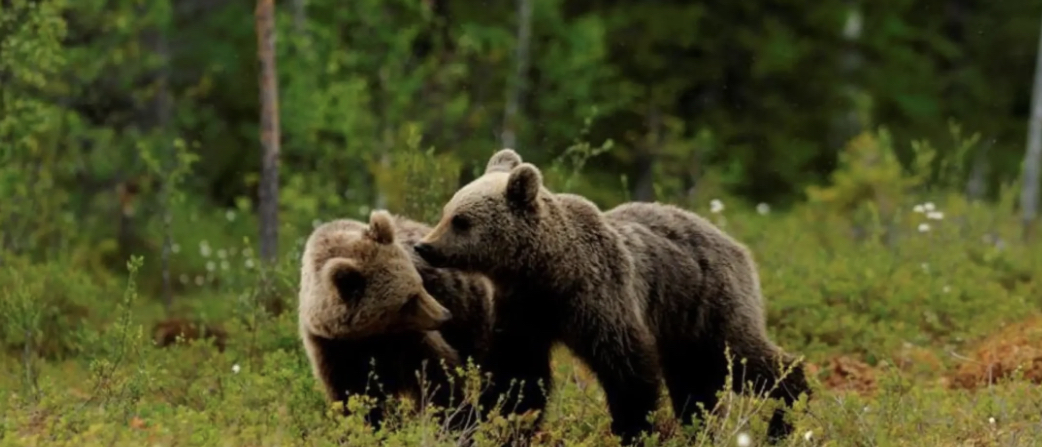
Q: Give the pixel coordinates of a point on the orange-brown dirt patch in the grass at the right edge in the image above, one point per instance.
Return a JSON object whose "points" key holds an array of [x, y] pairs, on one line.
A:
{"points": [[998, 357]]}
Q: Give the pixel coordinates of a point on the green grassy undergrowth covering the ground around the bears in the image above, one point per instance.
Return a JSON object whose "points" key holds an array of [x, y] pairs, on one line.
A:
{"points": [[916, 336]]}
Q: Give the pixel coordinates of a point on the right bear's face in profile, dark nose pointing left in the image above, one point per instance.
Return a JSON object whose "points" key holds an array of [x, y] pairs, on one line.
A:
{"points": [[491, 225]]}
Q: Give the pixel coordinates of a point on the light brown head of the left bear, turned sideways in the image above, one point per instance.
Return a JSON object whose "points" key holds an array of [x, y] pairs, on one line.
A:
{"points": [[357, 282]]}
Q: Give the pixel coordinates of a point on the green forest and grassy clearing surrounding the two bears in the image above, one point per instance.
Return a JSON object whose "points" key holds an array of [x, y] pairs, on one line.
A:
{"points": [[162, 164]]}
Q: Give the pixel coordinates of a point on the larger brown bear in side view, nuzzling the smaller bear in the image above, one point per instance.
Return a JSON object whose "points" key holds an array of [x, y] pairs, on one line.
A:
{"points": [[640, 287]]}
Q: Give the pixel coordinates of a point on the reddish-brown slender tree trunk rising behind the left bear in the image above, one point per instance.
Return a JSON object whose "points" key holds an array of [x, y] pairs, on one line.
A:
{"points": [[269, 131]]}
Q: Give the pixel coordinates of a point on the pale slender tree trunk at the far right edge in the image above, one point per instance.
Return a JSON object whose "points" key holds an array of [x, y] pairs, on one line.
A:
{"points": [[1030, 193]]}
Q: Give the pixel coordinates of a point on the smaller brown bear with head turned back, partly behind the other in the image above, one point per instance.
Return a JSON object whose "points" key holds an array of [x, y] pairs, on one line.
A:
{"points": [[365, 296]]}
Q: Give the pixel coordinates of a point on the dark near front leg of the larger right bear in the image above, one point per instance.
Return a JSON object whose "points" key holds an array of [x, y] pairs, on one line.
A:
{"points": [[621, 354]]}
